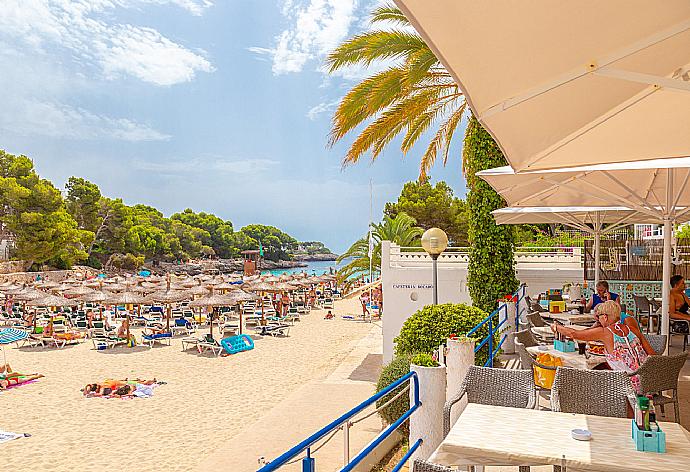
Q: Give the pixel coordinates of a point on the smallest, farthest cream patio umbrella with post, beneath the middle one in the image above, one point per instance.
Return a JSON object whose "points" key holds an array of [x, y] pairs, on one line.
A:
{"points": [[596, 221]]}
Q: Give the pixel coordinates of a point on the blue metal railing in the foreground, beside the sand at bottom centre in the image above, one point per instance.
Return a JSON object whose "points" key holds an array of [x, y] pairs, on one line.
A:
{"points": [[308, 462]]}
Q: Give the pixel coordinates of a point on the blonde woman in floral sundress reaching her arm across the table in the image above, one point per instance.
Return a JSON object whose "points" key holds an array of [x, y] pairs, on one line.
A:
{"points": [[625, 346]]}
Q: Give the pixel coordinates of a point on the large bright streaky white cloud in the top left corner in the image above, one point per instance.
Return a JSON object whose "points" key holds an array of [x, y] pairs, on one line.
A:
{"points": [[86, 29]]}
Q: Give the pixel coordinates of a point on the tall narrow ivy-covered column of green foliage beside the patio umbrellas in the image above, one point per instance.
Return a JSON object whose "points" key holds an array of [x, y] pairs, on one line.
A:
{"points": [[491, 270]]}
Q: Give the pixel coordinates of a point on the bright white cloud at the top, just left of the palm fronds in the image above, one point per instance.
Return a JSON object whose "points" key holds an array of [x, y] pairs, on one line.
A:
{"points": [[316, 27]]}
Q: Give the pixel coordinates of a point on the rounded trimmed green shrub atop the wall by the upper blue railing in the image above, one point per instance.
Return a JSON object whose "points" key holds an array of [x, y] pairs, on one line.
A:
{"points": [[428, 328]]}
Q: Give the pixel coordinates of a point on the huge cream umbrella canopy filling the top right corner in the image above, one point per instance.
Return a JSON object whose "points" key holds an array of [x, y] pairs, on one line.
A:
{"points": [[568, 83]]}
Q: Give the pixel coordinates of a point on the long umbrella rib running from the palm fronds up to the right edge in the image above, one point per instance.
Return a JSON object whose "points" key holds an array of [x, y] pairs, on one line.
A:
{"points": [[587, 69]]}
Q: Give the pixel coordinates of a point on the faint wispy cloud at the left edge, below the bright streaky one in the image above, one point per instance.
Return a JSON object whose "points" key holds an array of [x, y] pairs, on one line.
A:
{"points": [[35, 118]]}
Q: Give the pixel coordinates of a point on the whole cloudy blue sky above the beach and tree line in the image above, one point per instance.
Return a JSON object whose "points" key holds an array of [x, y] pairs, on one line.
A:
{"points": [[220, 106]]}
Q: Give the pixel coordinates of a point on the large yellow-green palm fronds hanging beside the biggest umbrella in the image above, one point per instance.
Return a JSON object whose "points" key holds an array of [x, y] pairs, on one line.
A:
{"points": [[408, 98]]}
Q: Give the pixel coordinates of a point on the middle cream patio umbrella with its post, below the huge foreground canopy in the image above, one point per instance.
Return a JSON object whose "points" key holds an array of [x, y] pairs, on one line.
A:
{"points": [[658, 188]]}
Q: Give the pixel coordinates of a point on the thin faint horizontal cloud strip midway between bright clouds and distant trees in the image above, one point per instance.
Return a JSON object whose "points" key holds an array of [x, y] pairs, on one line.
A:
{"points": [[215, 166]]}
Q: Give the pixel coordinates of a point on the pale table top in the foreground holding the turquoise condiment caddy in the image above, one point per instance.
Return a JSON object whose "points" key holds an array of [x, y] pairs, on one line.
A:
{"points": [[494, 435]]}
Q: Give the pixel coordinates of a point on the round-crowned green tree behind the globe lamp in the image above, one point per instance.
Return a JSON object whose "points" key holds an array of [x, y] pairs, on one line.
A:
{"points": [[433, 206]]}
